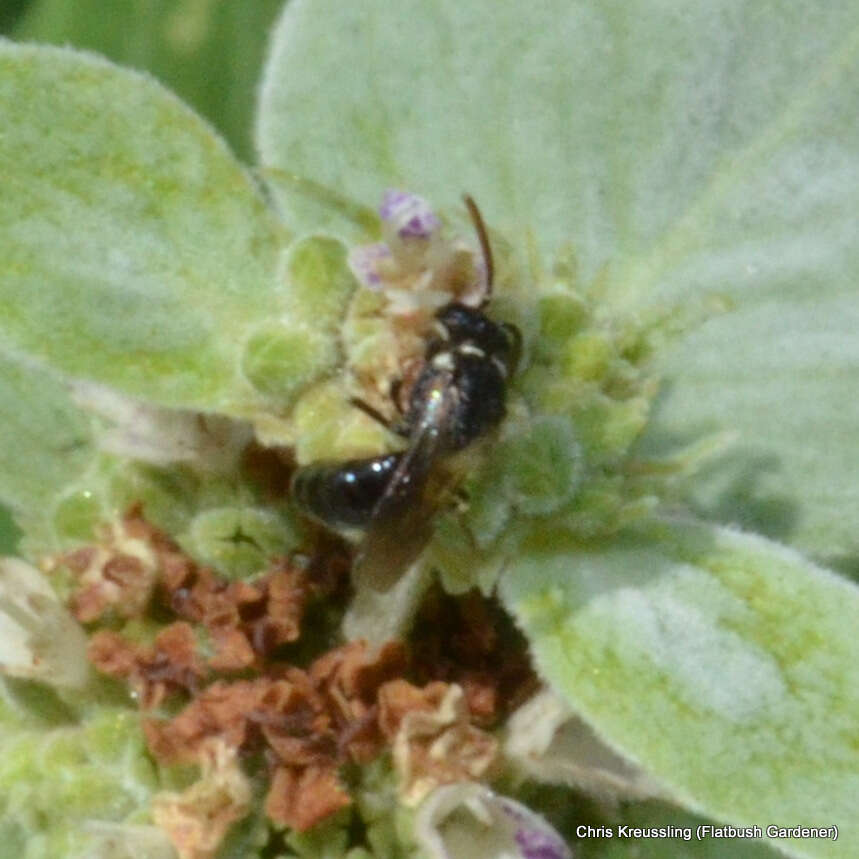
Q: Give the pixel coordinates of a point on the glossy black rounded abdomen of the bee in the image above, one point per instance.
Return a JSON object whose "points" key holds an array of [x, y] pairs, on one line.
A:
{"points": [[343, 494]]}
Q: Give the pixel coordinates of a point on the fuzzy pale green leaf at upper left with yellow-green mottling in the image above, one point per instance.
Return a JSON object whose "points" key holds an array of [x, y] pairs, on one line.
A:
{"points": [[136, 251]]}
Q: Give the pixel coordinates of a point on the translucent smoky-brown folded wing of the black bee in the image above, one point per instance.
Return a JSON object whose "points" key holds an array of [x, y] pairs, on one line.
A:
{"points": [[402, 521]]}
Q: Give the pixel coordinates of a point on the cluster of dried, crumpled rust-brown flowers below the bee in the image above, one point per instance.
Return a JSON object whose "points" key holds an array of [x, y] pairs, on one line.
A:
{"points": [[348, 705]]}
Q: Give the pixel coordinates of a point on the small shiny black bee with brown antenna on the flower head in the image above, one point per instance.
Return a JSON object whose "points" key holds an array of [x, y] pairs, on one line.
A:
{"points": [[457, 398]]}
